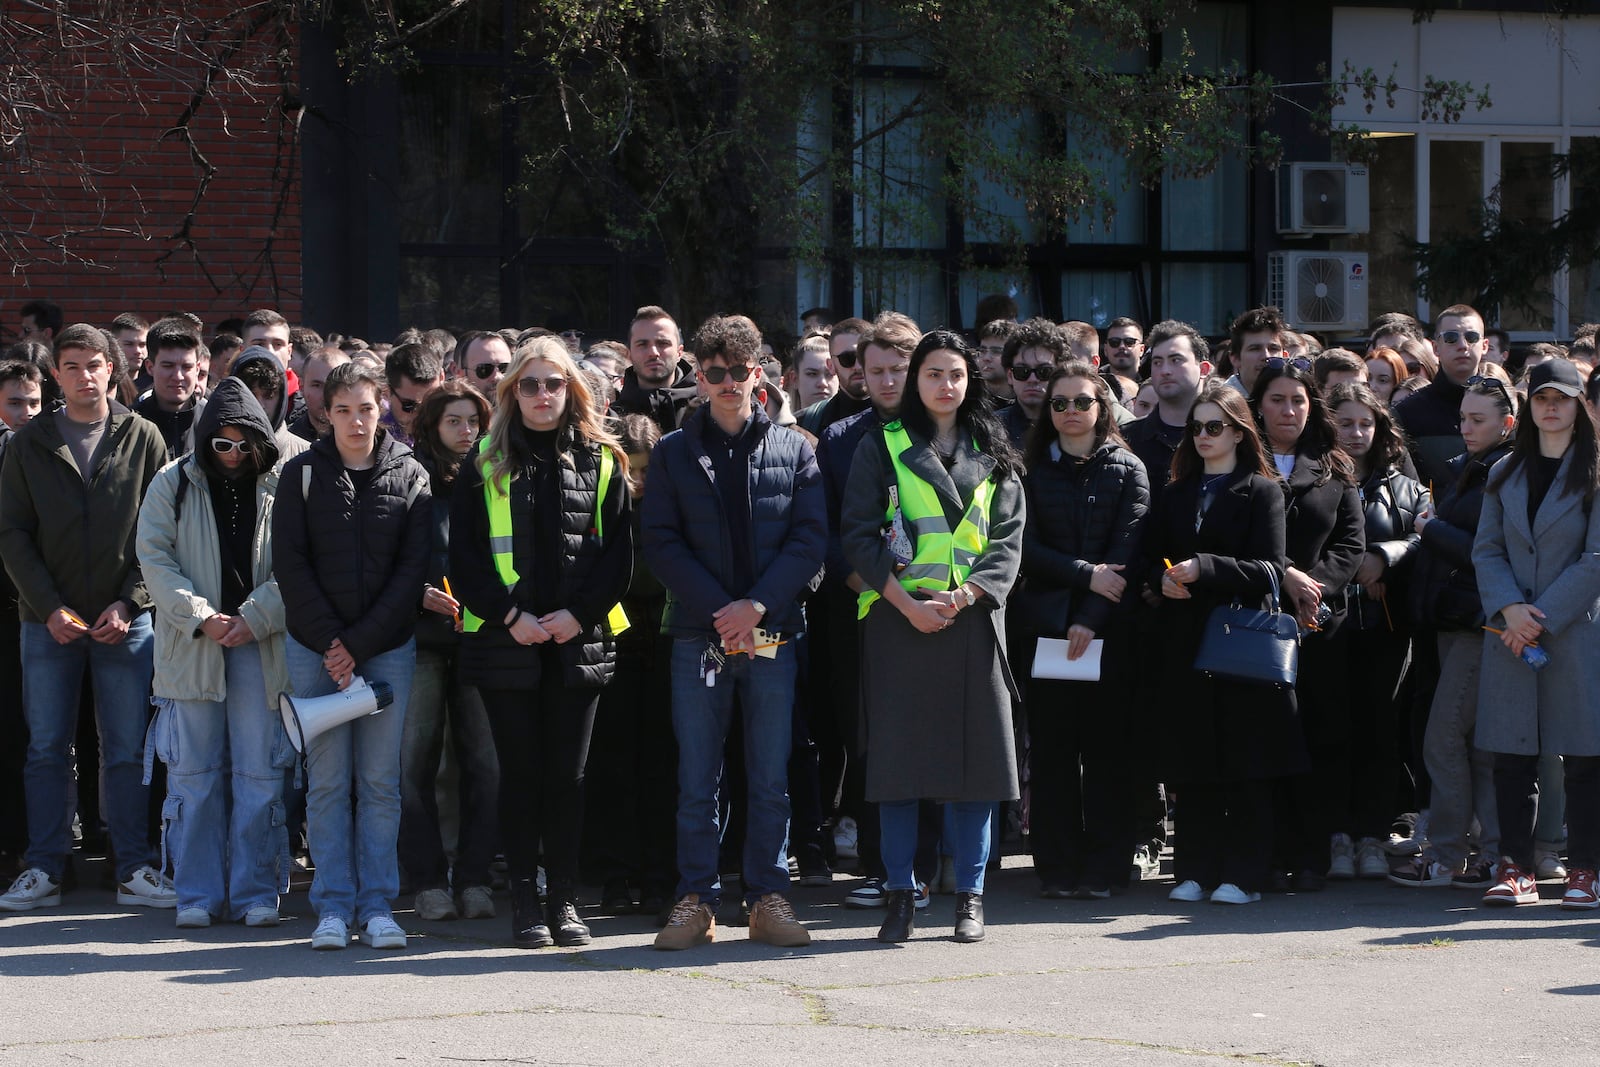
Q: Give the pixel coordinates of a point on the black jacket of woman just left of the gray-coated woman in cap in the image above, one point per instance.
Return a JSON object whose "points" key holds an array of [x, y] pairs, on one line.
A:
{"points": [[1444, 581]]}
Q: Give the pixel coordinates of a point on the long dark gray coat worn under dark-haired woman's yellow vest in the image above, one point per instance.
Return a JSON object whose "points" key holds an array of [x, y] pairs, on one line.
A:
{"points": [[937, 706]]}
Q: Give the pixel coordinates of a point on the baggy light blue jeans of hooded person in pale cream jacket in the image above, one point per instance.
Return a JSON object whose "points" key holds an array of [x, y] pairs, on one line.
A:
{"points": [[223, 818]]}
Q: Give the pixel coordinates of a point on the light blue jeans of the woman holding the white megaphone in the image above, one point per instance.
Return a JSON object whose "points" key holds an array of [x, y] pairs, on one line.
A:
{"points": [[358, 873]]}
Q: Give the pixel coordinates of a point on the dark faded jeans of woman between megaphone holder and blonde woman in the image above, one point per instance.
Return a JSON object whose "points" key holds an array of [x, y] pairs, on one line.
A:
{"points": [[441, 700]]}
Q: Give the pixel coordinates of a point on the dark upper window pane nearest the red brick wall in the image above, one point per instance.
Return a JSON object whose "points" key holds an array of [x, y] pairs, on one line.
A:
{"points": [[450, 182]]}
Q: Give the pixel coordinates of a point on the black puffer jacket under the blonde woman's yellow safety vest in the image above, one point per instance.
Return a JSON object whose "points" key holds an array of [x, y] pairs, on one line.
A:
{"points": [[594, 573]]}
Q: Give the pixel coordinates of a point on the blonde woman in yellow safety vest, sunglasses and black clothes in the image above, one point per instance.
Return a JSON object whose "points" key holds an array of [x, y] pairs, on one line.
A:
{"points": [[542, 551]]}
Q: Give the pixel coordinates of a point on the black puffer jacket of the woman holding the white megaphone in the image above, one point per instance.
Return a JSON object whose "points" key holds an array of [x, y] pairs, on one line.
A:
{"points": [[350, 564]]}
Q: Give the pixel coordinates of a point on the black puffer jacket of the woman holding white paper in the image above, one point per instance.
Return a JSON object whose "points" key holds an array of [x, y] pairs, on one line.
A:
{"points": [[1081, 514]]}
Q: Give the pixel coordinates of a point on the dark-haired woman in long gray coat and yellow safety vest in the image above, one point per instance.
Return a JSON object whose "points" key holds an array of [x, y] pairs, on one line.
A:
{"points": [[934, 524]]}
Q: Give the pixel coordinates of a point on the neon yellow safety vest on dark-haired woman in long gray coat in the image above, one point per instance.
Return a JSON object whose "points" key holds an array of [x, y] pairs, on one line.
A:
{"points": [[943, 559]]}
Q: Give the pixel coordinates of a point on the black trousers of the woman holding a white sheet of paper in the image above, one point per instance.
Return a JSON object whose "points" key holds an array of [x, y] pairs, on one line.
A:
{"points": [[1081, 817]]}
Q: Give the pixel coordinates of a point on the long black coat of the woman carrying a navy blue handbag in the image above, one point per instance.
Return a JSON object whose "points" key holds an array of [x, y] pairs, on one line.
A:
{"points": [[1214, 730]]}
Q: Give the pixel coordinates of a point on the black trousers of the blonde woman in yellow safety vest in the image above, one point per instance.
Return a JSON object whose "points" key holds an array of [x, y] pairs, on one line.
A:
{"points": [[543, 745]]}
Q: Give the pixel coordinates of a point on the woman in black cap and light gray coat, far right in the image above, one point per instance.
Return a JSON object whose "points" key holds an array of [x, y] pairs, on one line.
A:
{"points": [[1538, 564]]}
